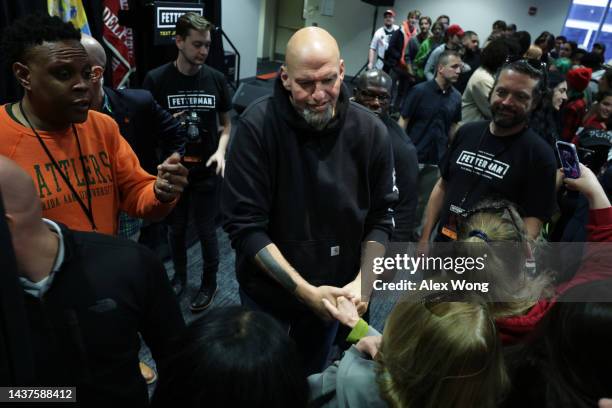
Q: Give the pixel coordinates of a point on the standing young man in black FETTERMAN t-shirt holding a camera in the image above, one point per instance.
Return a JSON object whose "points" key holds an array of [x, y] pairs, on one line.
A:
{"points": [[198, 95]]}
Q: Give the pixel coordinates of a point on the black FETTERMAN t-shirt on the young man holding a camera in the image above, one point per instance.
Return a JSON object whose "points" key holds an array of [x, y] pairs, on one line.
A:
{"points": [[205, 93]]}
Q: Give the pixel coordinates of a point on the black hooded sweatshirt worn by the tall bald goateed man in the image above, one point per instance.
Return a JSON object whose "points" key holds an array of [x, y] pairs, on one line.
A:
{"points": [[317, 195]]}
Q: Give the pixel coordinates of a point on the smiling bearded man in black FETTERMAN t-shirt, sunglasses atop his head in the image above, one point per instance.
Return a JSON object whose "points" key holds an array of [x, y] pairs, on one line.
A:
{"points": [[501, 158]]}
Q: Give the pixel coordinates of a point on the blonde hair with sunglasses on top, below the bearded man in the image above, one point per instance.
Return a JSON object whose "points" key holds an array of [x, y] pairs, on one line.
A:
{"points": [[502, 226]]}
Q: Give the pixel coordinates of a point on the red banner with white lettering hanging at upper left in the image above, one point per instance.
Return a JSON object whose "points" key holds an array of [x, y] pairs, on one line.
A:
{"points": [[120, 40]]}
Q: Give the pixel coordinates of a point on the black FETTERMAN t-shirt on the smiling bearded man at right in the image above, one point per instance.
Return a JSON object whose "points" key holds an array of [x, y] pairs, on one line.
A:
{"points": [[520, 168]]}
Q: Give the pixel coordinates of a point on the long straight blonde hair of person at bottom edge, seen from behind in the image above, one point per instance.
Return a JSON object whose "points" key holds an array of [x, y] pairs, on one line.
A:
{"points": [[443, 354]]}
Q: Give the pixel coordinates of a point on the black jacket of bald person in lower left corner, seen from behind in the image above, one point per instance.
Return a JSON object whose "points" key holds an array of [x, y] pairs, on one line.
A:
{"points": [[84, 329]]}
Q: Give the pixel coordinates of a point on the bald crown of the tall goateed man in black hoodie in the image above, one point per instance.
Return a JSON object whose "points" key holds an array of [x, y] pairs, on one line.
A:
{"points": [[311, 43]]}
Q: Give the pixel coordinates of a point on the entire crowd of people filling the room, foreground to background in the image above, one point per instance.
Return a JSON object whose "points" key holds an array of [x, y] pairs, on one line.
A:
{"points": [[439, 141]]}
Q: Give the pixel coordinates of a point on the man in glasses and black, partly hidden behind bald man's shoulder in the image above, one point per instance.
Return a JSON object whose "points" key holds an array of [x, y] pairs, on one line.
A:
{"points": [[374, 92]]}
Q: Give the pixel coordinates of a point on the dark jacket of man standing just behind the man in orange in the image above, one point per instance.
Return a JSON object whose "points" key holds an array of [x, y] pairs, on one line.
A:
{"points": [[150, 130]]}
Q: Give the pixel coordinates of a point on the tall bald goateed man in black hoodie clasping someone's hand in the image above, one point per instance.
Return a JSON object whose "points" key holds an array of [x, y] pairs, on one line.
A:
{"points": [[309, 178]]}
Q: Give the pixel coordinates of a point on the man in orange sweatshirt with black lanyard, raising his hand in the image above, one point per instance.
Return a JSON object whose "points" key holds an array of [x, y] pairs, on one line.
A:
{"points": [[85, 172]]}
